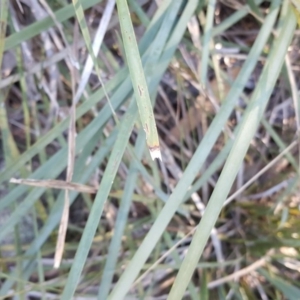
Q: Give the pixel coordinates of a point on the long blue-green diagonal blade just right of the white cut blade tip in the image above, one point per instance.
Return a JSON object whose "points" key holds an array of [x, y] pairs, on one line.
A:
{"points": [[200, 155]]}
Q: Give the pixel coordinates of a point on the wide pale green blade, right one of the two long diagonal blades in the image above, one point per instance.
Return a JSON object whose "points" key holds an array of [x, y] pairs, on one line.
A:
{"points": [[248, 128]]}
